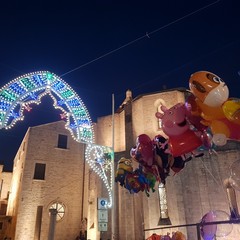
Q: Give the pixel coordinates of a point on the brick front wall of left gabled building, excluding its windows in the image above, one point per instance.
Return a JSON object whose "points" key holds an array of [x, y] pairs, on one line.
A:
{"points": [[64, 183]]}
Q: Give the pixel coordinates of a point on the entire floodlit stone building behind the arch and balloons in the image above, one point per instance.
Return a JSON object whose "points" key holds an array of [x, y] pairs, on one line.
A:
{"points": [[50, 172]]}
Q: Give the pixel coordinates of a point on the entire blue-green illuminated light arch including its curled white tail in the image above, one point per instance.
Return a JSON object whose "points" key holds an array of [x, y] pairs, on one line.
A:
{"points": [[20, 93]]}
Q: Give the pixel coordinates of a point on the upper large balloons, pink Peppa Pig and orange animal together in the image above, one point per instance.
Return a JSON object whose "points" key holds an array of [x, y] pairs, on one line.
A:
{"points": [[207, 119]]}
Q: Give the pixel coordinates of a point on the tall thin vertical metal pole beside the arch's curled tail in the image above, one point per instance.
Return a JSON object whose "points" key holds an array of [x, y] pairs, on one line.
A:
{"points": [[113, 175]]}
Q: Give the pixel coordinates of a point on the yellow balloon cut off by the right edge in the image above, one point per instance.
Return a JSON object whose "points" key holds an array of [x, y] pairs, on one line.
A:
{"points": [[231, 109]]}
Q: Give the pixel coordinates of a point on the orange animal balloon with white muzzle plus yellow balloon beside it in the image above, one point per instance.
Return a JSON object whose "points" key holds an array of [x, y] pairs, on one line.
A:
{"points": [[210, 103]]}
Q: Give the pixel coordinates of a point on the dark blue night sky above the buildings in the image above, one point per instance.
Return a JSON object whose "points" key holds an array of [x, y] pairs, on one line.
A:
{"points": [[102, 48]]}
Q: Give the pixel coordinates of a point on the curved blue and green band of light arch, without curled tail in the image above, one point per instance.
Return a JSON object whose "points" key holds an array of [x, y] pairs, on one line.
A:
{"points": [[28, 89]]}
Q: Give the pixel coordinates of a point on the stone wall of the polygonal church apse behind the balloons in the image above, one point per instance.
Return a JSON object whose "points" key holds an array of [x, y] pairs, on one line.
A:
{"points": [[191, 193]]}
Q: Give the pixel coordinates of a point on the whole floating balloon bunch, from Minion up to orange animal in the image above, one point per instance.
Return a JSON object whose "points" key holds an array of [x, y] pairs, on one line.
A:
{"points": [[207, 119]]}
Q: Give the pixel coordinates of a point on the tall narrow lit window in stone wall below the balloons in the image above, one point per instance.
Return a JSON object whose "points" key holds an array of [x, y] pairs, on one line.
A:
{"points": [[164, 218]]}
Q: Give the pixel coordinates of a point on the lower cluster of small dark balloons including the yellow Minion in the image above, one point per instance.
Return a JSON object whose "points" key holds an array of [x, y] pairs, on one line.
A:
{"points": [[154, 162]]}
